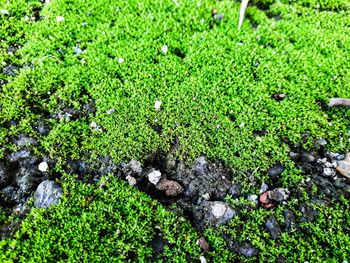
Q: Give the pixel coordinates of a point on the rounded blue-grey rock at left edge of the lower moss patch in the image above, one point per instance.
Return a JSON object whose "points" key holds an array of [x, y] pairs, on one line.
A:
{"points": [[48, 193]]}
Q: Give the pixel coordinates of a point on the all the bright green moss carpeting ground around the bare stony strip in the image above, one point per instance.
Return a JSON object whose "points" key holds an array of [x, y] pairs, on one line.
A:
{"points": [[215, 84]]}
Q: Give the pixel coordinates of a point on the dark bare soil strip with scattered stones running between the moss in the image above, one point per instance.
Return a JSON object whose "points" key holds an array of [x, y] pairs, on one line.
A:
{"points": [[199, 190]]}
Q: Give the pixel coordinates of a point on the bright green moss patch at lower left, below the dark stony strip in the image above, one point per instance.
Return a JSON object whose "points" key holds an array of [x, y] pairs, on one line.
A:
{"points": [[113, 223]]}
